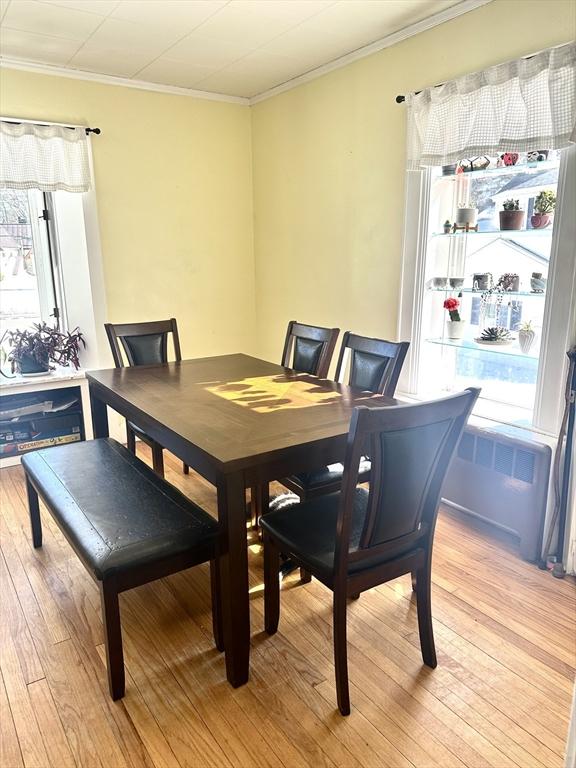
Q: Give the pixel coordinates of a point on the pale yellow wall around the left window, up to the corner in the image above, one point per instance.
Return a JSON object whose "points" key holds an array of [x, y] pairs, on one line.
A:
{"points": [[174, 194]]}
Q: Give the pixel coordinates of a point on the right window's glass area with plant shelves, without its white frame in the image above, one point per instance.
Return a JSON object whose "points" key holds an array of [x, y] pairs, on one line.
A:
{"points": [[497, 276]]}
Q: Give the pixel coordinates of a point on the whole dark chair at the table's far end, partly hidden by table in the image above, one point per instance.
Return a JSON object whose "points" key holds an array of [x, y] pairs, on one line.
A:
{"points": [[144, 344]]}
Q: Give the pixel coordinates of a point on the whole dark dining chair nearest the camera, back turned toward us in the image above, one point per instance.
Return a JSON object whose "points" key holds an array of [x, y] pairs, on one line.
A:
{"points": [[356, 539]]}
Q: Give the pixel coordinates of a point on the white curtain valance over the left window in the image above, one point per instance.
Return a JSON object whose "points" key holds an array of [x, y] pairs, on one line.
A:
{"points": [[46, 157]]}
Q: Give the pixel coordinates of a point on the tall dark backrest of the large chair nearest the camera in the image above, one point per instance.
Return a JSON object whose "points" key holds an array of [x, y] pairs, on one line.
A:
{"points": [[410, 449]]}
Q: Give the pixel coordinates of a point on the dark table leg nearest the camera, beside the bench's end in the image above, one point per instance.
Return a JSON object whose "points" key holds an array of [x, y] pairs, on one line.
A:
{"points": [[234, 577]]}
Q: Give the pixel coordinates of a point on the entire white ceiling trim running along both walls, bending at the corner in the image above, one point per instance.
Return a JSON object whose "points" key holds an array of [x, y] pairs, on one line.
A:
{"points": [[396, 37]]}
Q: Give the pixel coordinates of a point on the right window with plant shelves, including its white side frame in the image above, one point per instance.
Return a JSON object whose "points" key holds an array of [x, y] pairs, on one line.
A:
{"points": [[501, 278]]}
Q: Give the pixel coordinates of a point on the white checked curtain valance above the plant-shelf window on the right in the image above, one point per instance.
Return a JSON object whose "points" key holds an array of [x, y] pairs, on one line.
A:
{"points": [[517, 106]]}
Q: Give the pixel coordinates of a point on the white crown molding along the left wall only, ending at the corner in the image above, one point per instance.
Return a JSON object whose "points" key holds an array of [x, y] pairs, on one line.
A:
{"points": [[124, 82]]}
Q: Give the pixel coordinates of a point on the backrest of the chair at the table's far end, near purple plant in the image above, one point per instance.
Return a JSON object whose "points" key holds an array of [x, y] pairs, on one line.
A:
{"points": [[143, 343]]}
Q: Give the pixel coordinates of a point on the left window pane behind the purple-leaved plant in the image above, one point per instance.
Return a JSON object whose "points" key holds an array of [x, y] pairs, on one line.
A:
{"points": [[29, 278]]}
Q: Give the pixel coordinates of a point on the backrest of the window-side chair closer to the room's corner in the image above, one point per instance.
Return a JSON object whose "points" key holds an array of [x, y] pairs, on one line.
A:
{"points": [[308, 348]]}
